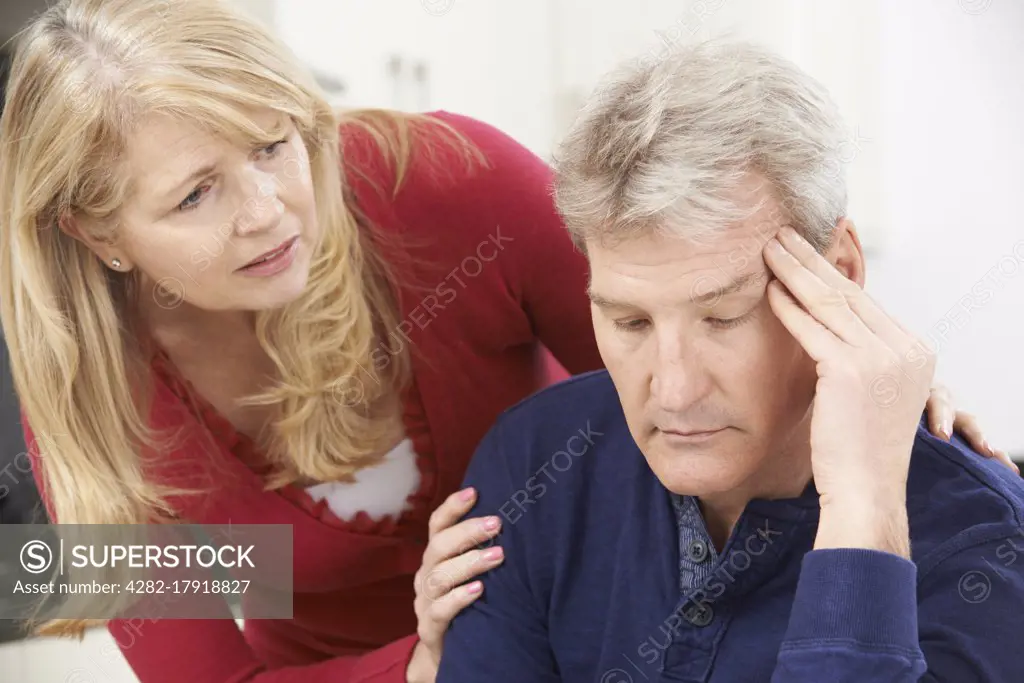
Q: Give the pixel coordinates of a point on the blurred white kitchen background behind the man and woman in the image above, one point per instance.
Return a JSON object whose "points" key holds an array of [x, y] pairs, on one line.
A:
{"points": [[933, 93]]}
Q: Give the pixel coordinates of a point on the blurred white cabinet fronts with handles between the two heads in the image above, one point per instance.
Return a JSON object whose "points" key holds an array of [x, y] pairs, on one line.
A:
{"points": [[486, 60]]}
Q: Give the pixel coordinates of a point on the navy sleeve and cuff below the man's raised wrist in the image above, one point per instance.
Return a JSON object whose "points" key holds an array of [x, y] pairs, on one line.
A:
{"points": [[863, 615]]}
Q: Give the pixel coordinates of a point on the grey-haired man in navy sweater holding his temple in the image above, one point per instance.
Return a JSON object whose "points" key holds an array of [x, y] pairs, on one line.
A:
{"points": [[748, 493]]}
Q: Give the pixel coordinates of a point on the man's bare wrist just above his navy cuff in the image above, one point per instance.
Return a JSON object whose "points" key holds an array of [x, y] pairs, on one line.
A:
{"points": [[880, 525]]}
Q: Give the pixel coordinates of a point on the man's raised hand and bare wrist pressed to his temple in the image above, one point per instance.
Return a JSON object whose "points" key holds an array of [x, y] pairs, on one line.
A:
{"points": [[874, 382]]}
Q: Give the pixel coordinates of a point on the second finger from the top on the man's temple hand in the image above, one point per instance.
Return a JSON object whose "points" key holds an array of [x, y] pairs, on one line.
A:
{"points": [[826, 304]]}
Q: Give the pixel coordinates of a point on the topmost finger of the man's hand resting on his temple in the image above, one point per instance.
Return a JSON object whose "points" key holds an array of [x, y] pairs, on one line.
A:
{"points": [[873, 316]]}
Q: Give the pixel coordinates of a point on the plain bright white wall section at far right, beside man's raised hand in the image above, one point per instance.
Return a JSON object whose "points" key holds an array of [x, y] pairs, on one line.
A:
{"points": [[954, 86]]}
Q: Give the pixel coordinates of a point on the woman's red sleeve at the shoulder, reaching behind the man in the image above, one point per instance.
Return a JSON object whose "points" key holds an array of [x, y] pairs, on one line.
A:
{"points": [[545, 270]]}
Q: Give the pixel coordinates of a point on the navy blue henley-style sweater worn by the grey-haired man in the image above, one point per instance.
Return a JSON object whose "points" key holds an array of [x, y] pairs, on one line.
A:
{"points": [[606, 578]]}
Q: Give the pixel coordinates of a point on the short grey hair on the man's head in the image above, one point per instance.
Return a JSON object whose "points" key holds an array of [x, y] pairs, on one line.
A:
{"points": [[668, 144]]}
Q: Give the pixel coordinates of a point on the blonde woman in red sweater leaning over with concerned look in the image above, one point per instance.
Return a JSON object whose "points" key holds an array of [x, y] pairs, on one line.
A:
{"points": [[327, 314]]}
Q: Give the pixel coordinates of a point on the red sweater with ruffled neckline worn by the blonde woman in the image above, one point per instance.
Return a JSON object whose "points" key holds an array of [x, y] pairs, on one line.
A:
{"points": [[494, 276]]}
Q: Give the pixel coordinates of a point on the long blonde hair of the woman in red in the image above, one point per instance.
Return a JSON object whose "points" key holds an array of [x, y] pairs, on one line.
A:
{"points": [[82, 75]]}
